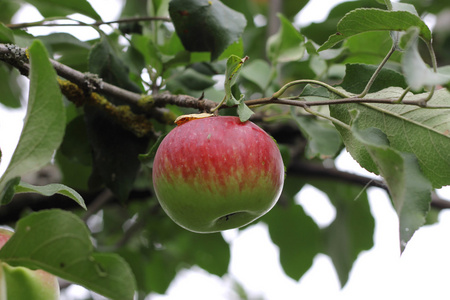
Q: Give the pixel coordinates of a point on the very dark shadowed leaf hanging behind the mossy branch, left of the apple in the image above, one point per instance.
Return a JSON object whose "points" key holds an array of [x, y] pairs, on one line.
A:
{"points": [[115, 149]]}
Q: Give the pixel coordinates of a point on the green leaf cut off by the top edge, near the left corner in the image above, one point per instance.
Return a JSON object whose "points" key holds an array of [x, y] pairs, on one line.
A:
{"points": [[56, 8]]}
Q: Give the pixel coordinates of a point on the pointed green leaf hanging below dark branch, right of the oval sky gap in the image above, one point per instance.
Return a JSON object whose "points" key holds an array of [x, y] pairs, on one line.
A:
{"points": [[352, 230]]}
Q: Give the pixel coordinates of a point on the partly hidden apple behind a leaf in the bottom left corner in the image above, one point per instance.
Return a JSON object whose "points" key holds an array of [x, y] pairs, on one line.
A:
{"points": [[19, 283]]}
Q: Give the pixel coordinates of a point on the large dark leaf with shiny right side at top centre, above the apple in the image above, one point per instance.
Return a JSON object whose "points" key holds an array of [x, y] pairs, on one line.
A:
{"points": [[207, 26]]}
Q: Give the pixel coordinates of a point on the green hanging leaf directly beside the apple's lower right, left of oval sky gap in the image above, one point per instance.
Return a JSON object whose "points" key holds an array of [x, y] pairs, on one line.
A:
{"points": [[294, 232]]}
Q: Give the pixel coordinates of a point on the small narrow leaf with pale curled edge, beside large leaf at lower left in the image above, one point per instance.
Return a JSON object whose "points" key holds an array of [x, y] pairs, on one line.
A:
{"points": [[51, 189]]}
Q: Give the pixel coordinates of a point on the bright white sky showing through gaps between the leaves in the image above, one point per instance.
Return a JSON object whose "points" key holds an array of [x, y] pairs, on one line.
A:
{"points": [[421, 272]]}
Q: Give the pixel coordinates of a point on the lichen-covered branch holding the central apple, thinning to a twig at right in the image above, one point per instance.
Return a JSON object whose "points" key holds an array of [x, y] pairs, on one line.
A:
{"points": [[152, 104]]}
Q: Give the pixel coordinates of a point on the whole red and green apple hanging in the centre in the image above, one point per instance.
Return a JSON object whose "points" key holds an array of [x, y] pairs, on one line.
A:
{"points": [[217, 173]]}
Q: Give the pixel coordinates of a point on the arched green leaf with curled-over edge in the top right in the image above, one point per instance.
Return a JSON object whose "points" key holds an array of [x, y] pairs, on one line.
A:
{"points": [[372, 19]]}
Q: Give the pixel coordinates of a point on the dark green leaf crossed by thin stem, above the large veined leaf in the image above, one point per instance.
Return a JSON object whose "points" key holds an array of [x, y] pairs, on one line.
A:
{"points": [[358, 75]]}
